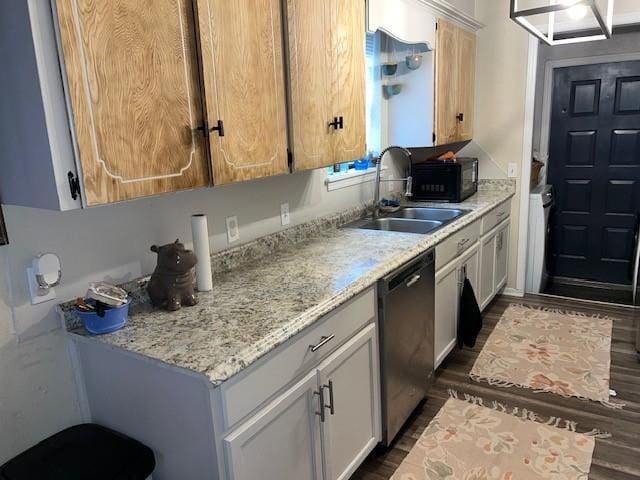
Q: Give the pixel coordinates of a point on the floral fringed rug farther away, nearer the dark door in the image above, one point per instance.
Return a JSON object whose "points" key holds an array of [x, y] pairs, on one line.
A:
{"points": [[566, 353]]}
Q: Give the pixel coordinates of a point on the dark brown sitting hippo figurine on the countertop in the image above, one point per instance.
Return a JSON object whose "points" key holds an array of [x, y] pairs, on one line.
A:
{"points": [[172, 282]]}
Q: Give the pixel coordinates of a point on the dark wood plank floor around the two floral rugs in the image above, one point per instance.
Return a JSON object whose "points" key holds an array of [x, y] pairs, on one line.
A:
{"points": [[615, 458]]}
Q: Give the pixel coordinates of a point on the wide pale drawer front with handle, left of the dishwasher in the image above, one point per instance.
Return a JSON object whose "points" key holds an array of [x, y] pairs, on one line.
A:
{"points": [[246, 392]]}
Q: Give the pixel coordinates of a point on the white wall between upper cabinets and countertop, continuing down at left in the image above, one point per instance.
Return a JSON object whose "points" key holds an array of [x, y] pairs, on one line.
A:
{"points": [[37, 393]]}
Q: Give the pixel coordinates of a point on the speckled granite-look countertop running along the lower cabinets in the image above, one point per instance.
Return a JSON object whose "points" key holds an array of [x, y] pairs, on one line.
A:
{"points": [[262, 302]]}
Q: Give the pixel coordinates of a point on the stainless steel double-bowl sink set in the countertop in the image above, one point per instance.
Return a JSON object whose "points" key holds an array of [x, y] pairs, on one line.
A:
{"points": [[422, 220]]}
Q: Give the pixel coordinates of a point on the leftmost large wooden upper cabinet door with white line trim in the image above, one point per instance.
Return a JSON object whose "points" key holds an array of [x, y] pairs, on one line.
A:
{"points": [[134, 90]]}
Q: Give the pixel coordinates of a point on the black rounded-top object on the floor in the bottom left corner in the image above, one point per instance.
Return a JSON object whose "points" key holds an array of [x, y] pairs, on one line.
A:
{"points": [[83, 452]]}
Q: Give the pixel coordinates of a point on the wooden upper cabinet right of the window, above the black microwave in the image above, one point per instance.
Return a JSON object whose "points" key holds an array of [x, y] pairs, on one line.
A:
{"points": [[455, 83]]}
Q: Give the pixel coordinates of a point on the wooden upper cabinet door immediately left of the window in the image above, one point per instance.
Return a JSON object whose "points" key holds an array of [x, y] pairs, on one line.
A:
{"points": [[348, 85]]}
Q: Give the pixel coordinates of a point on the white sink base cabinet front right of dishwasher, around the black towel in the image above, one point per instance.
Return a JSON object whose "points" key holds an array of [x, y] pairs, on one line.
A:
{"points": [[447, 298]]}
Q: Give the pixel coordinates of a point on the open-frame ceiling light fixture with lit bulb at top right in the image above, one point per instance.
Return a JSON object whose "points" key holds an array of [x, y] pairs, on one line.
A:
{"points": [[552, 32]]}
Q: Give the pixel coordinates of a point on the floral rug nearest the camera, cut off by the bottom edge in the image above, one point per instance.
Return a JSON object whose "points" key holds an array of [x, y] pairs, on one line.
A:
{"points": [[467, 441]]}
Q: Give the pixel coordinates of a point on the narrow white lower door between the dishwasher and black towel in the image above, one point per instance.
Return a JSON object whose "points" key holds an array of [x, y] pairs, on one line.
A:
{"points": [[446, 299]]}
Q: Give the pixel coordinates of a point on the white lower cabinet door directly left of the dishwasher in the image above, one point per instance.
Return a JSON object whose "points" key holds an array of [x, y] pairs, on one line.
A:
{"points": [[349, 379]]}
